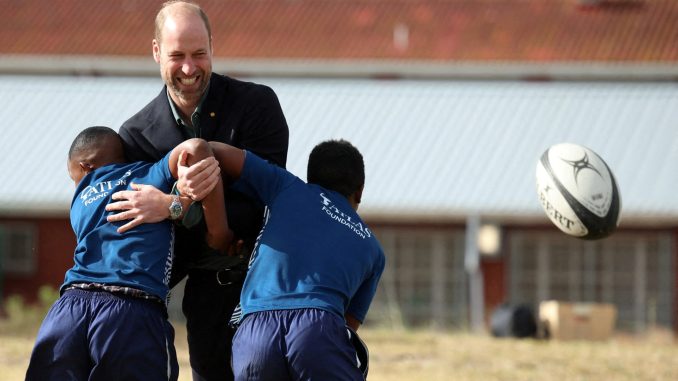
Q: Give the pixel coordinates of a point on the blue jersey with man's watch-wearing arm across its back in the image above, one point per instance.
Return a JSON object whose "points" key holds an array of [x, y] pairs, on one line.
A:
{"points": [[140, 258]]}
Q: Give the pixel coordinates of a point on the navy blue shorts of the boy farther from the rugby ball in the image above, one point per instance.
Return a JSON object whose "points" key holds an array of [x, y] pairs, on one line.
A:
{"points": [[90, 335]]}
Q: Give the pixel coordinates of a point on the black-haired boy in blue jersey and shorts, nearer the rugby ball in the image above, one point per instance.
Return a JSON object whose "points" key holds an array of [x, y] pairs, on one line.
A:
{"points": [[314, 270]]}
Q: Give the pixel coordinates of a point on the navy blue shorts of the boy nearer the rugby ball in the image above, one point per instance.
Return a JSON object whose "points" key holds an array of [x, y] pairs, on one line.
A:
{"points": [[300, 344]]}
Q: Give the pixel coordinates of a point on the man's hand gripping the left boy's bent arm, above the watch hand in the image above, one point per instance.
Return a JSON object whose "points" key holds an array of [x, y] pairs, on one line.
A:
{"points": [[198, 180]]}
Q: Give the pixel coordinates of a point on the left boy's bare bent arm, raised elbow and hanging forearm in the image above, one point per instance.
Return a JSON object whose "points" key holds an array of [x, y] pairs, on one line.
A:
{"points": [[197, 152]]}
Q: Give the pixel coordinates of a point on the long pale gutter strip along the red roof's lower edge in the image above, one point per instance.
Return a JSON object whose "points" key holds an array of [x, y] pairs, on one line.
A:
{"points": [[358, 68]]}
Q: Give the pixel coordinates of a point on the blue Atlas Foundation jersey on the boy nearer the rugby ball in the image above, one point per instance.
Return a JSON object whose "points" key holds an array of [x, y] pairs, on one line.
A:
{"points": [[314, 251]]}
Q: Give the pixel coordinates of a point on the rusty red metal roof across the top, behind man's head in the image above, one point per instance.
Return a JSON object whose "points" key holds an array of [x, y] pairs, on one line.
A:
{"points": [[458, 30]]}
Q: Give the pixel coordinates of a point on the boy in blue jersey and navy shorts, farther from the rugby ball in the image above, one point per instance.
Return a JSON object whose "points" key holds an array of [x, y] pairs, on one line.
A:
{"points": [[110, 322]]}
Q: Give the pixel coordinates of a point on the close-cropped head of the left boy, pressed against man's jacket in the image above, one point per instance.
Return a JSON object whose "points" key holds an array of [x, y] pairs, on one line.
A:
{"points": [[94, 147]]}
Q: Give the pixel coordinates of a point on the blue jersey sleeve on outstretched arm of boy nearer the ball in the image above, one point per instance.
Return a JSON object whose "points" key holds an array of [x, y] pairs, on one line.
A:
{"points": [[262, 180]]}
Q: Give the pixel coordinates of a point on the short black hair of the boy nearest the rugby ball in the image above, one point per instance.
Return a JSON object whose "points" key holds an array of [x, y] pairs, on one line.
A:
{"points": [[336, 165]]}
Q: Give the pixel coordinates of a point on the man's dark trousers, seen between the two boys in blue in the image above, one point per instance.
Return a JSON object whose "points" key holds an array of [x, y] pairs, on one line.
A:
{"points": [[208, 306]]}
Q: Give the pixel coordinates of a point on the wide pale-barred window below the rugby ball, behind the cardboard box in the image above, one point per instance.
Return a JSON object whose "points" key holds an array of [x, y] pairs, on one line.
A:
{"points": [[632, 271]]}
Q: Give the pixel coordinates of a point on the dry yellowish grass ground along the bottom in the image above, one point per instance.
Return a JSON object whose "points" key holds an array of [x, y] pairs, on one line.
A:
{"points": [[426, 355]]}
